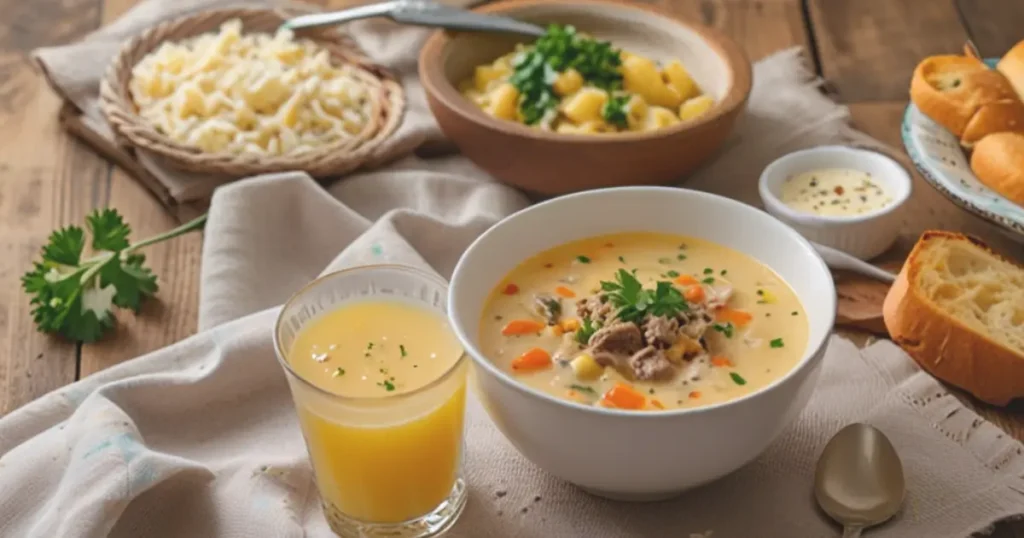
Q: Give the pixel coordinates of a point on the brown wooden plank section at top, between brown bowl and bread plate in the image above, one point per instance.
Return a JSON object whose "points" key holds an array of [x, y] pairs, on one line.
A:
{"points": [[869, 49]]}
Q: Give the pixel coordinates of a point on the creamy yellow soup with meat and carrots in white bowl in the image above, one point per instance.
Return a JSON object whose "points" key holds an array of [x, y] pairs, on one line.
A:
{"points": [[645, 321]]}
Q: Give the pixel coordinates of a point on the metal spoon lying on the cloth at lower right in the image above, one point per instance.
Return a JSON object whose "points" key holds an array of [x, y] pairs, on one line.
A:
{"points": [[860, 479]]}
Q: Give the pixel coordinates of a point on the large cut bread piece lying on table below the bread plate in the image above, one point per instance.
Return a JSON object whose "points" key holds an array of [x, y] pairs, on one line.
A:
{"points": [[958, 309]]}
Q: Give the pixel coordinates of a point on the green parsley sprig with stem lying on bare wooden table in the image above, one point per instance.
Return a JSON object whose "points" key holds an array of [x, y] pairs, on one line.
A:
{"points": [[74, 297]]}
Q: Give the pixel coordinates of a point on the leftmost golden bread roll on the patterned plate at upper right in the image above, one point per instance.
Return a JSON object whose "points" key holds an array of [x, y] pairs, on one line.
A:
{"points": [[966, 97]]}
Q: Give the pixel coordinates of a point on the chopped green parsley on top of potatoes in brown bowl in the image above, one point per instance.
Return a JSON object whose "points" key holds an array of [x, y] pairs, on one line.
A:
{"points": [[562, 49]]}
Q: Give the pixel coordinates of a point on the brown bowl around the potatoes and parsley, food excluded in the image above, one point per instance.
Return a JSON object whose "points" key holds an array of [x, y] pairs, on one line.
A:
{"points": [[550, 163]]}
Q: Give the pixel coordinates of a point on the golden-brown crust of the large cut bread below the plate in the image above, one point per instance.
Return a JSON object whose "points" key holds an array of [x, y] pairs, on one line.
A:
{"points": [[945, 347]]}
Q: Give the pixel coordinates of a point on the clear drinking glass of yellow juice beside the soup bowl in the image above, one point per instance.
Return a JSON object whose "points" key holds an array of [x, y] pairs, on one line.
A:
{"points": [[389, 466]]}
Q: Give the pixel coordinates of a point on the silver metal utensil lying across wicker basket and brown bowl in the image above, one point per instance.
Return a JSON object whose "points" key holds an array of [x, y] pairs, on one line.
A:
{"points": [[420, 13]]}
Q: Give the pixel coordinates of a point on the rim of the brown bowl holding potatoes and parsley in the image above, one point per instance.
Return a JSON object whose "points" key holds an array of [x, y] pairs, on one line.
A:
{"points": [[437, 85]]}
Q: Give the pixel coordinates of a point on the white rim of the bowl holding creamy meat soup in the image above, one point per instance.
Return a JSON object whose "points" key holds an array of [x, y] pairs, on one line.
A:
{"points": [[817, 350]]}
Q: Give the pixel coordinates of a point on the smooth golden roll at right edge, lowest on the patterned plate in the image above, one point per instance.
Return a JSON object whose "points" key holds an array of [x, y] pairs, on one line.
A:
{"points": [[999, 162]]}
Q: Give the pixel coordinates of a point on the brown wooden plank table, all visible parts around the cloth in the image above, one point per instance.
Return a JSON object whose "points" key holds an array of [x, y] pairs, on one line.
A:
{"points": [[865, 50]]}
